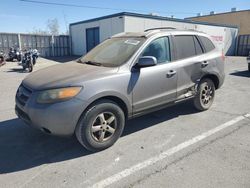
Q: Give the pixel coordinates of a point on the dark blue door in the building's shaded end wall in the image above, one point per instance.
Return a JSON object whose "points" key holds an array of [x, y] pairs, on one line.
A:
{"points": [[92, 37]]}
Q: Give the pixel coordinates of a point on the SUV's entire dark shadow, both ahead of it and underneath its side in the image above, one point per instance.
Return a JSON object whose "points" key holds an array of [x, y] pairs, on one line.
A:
{"points": [[23, 147]]}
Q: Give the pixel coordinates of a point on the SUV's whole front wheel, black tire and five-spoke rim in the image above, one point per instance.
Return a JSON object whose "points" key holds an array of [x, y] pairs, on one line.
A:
{"points": [[94, 131]]}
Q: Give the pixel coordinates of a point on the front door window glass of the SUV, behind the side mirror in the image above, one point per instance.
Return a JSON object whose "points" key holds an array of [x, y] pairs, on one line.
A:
{"points": [[159, 49]]}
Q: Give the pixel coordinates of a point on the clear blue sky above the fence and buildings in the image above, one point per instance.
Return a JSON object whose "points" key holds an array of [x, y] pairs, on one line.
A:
{"points": [[19, 16]]}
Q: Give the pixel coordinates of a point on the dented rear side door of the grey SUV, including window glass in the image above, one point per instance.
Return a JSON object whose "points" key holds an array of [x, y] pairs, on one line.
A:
{"points": [[190, 63]]}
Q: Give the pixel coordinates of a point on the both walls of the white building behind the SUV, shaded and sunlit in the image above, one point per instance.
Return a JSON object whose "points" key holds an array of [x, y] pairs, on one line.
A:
{"points": [[224, 37]]}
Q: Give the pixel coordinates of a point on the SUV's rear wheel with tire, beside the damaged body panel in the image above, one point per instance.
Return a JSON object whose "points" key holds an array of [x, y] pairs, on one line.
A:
{"points": [[205, 95]]}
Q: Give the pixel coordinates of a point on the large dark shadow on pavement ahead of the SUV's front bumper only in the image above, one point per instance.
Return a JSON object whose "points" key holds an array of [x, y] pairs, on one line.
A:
{"points": [[23, 147]]}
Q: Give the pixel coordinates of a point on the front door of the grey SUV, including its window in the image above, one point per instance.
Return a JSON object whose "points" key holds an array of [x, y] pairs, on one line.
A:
{"points": [[155, 85]]}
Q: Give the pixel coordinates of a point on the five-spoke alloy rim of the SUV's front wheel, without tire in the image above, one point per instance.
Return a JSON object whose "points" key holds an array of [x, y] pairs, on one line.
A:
{"points": [[104, 126]]}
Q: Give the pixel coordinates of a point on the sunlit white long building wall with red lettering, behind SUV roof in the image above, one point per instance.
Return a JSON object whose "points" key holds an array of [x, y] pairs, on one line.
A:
{"points": [[224, 37]]}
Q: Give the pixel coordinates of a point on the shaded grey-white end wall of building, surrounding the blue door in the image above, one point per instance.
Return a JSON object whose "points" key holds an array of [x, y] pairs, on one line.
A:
{"points": [[108, 27]]}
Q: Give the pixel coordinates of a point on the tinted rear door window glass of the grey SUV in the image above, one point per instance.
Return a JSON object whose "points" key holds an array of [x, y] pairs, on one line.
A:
{"points": [[185, 46]]}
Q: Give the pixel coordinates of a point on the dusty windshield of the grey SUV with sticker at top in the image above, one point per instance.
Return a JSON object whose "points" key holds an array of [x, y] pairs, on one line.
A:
{"points": [[113, 52]]}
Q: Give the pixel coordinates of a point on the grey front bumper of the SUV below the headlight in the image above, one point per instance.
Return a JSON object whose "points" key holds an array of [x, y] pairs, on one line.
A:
{"points": [[58, 118]]}
